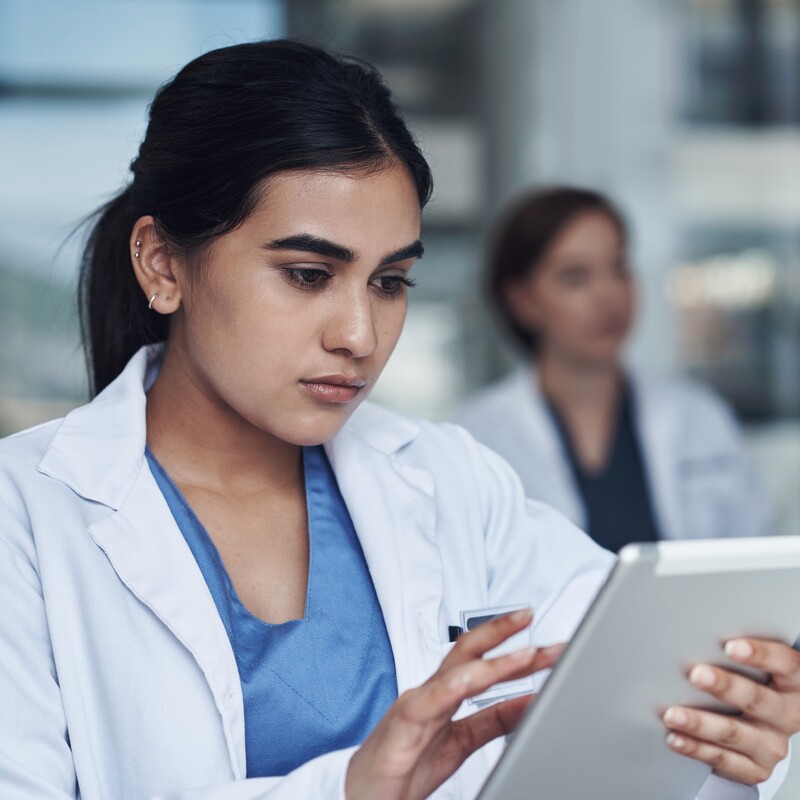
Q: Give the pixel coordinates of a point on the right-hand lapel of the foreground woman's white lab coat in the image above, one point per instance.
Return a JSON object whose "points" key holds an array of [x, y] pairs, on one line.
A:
{"points": [[392, 508]]}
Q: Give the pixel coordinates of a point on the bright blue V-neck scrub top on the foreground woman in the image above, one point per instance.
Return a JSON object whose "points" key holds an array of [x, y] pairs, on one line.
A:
{"points": [[311, 685]]}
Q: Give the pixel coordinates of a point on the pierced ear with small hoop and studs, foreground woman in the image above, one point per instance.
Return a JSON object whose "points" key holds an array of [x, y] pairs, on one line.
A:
{"points": [[156, 269]]}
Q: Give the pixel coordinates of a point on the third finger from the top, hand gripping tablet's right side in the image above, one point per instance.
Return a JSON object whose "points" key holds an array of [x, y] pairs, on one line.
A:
{"points": [[762, 745]]}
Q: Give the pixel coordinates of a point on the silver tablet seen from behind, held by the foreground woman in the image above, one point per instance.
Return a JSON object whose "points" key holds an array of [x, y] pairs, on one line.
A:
{"points": [[595, 729]]}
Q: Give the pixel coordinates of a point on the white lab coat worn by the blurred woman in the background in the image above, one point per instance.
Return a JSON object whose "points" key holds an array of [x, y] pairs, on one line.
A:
{"points": [[701, 481]]}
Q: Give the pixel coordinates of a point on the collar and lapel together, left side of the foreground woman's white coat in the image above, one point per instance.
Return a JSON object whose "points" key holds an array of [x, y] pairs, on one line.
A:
{"points": [[98, 452]]}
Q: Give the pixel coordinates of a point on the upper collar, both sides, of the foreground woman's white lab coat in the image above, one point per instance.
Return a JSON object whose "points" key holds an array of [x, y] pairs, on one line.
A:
{"points": [[98, 450]]}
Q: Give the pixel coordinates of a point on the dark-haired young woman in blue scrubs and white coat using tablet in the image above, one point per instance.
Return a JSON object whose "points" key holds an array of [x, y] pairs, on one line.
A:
{"points": [[219, 579]]}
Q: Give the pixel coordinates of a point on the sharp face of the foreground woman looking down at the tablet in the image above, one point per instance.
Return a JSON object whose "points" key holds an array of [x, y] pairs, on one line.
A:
{"points": [[291, 320]]}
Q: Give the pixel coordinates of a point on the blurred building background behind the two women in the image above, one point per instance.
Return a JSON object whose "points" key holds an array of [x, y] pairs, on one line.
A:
{"points": [[687, 112]]}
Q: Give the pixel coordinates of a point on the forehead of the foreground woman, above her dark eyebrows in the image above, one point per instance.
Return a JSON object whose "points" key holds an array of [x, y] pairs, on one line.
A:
{"points": [[356, 208]]}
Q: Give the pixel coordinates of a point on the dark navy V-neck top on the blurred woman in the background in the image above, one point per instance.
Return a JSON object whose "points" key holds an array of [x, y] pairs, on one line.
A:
{"points": [[617, 501]]}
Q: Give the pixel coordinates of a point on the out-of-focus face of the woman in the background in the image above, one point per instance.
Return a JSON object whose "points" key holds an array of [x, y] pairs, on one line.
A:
{"points": [[579, 299]]}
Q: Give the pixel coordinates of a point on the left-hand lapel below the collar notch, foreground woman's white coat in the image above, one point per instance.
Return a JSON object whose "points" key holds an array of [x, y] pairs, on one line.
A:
{"points": [[151, 557]]}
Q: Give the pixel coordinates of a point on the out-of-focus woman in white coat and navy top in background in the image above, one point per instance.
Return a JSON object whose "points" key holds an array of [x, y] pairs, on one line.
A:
{"points": [[625, 457]]}
